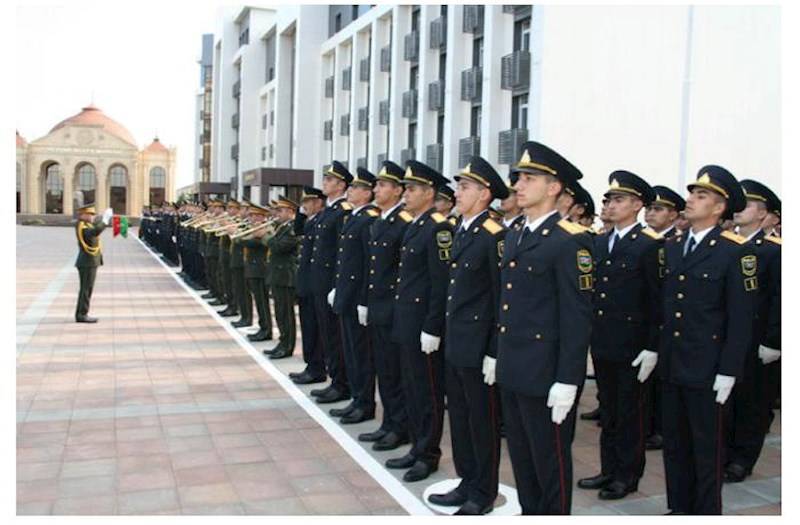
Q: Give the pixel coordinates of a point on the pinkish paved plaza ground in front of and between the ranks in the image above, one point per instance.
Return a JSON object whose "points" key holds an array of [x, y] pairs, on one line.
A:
{"points": [[163, 408]]}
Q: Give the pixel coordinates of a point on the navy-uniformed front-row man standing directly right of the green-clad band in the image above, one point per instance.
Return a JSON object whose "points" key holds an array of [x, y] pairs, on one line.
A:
{"points": [[313, 201]]}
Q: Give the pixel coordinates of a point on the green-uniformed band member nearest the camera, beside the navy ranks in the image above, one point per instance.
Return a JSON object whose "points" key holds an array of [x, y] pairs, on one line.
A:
{"points": [[282, 262]]}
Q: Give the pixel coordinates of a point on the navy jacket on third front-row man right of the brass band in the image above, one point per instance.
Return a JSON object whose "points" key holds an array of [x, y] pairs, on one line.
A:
{"points": [[351, 261]]}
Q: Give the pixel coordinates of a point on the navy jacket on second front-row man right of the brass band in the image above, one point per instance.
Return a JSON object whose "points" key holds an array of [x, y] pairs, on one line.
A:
{"points": [[324, 248]]}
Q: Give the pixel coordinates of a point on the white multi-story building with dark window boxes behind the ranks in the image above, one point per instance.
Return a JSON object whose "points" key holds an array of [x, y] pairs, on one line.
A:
{"points": [[651, 89]]}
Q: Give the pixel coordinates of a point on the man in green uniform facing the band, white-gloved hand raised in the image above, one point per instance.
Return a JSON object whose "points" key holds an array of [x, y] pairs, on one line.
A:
{"points": [[88, 230]]}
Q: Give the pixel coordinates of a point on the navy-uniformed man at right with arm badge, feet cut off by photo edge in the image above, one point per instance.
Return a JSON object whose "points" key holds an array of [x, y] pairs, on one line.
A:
{"points": [[710, 287]]}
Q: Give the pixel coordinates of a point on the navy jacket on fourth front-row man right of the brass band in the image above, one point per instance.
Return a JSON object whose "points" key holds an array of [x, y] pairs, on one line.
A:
{"points": [[386, 236]]}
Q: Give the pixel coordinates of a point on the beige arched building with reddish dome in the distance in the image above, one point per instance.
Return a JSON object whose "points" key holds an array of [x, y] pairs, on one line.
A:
{"points": [[90, 157]]}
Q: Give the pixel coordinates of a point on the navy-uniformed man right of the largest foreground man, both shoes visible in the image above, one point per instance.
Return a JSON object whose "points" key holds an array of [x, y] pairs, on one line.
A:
{"points": [[624, 343]]}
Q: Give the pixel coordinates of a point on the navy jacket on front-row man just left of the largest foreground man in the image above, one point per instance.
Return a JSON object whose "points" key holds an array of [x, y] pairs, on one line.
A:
{"points": [[473, 295]]}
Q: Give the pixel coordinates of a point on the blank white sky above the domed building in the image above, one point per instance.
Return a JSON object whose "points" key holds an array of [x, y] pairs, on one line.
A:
{"points": [[137, 61]]}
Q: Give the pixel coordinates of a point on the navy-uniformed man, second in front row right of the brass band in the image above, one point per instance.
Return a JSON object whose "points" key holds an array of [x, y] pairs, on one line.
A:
{"points": [[322, 275]]}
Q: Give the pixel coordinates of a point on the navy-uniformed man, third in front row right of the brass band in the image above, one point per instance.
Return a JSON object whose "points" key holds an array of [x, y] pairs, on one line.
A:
{"points": [[351, 276]]}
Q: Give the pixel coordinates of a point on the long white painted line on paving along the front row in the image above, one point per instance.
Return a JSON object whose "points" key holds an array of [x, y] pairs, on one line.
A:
{"points": [[392, 485]]}
